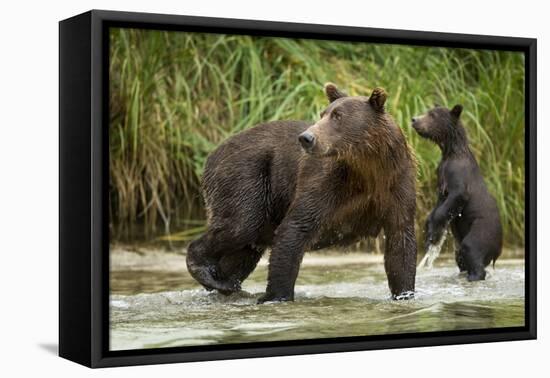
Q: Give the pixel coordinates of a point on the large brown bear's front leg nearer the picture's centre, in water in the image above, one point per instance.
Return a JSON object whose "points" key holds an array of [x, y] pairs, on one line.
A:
{"points": [[286, 256]]}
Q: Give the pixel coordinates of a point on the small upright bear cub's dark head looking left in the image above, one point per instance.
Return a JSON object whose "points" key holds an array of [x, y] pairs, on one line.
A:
{"points": [[441, 125]]}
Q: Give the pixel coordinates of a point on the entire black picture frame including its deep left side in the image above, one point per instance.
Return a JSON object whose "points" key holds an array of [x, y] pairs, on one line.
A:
{"points": [[83, 194]]}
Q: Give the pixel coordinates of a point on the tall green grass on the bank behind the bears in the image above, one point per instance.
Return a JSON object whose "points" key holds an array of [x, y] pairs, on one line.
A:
{"points": [[175, 96]]}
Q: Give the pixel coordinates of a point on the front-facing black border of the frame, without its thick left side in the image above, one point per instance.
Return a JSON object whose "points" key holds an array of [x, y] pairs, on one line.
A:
{"points": [[99, 248]]}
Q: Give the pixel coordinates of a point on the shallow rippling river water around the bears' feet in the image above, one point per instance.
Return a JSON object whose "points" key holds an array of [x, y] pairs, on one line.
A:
{"points": [[336, 295]]}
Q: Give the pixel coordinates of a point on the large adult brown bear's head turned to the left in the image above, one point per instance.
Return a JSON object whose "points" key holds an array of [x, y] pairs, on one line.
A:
{"points": [[349, 125]]}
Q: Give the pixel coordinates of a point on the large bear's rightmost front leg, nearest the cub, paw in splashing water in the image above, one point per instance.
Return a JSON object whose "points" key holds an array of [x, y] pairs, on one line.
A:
{"points": [[400, 260]]}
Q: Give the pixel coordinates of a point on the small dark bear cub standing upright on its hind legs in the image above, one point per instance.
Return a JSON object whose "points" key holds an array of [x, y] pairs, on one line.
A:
{"points": [[463, 200]]}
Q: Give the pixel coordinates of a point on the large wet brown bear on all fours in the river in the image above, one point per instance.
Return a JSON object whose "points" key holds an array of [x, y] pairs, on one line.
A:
{"points": [[296, 186]]}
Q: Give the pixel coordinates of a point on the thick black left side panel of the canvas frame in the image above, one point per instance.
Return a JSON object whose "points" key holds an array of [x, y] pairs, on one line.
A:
{"points": [[75, 273]]}
